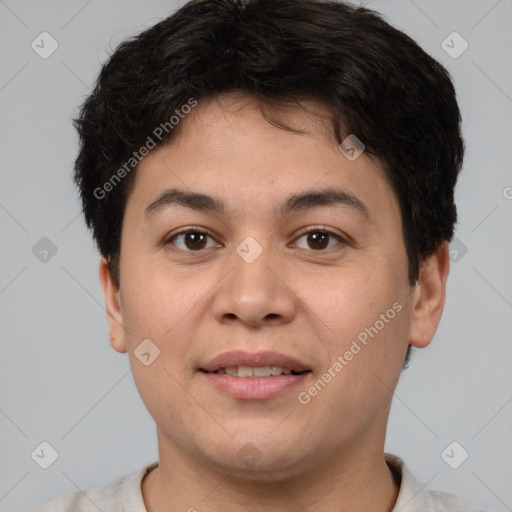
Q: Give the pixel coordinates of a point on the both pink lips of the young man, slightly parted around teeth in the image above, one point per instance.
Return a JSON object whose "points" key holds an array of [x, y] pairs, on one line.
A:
{"points": [[254, 388]]}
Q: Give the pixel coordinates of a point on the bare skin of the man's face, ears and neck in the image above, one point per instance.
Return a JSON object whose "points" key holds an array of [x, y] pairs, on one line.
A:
{"points": [[194, 304]]}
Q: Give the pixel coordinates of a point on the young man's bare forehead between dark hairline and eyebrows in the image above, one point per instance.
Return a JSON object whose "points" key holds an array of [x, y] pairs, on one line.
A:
{"points": [[227, 144]]}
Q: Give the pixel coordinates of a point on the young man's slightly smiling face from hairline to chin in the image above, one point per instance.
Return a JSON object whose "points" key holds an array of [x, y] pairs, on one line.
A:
{"points": [[267, 273]]}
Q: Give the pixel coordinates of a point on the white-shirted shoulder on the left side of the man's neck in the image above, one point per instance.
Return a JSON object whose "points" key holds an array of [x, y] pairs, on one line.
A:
{"points": [[121, 495]]}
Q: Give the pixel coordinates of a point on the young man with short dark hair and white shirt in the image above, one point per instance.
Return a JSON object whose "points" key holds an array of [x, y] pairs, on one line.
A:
{"points": [[271, 186]]}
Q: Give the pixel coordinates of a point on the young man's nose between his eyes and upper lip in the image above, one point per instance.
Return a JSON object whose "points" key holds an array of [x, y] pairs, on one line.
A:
{"points": [[256, 293]]}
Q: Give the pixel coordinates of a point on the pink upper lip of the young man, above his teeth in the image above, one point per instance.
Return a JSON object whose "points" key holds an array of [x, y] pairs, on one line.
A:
{"points": [[240, 358]]}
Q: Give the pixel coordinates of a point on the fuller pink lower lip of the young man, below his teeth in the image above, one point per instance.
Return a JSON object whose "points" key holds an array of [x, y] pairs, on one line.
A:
{"points": [[256, 388]]}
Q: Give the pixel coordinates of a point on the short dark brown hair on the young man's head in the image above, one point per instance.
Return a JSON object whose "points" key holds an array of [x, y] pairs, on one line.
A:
{"points": [[377, 82]]}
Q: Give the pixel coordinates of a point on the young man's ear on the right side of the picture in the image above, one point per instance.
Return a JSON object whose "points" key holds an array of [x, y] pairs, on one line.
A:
{"points": [[429, 296]]}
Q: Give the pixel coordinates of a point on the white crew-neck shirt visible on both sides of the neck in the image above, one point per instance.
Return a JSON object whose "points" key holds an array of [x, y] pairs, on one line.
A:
{"points": [[125, 495]]}
